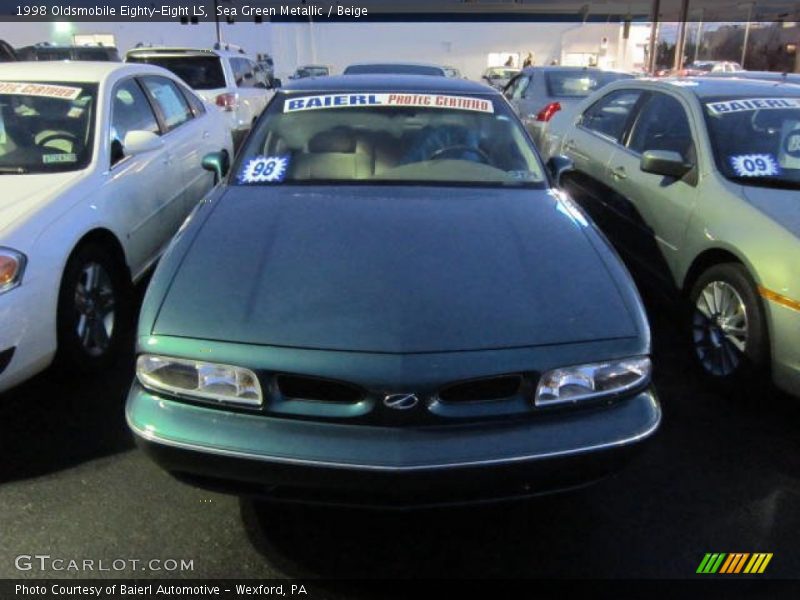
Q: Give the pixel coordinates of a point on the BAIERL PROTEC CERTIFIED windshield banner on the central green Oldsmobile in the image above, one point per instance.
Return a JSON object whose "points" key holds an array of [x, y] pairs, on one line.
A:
{"points": [[384, 100]]}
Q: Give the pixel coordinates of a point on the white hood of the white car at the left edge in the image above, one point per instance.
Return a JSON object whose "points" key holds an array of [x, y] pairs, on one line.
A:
{"points": [[25, 195]]}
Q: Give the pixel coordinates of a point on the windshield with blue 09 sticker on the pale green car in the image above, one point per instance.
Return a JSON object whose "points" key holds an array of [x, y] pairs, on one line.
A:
{"points": [[756, 140]]}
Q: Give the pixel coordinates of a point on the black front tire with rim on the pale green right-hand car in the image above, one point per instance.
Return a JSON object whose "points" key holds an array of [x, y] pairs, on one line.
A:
{"points": [[727, 327]]}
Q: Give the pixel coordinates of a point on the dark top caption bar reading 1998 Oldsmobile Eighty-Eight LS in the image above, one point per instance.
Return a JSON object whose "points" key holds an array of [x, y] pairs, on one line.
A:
{"points": [[196, 11]]}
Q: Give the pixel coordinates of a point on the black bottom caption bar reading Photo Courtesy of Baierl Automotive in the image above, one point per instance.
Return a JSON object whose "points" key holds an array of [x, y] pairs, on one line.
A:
{"points": [[405, 589]]}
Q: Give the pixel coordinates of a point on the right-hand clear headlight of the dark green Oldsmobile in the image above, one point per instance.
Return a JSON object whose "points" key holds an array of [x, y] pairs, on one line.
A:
{"points": [[584, 382]]}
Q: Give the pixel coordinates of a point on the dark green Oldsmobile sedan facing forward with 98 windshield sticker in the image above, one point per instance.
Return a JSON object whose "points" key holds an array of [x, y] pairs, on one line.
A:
{"points": [[386, 303]]}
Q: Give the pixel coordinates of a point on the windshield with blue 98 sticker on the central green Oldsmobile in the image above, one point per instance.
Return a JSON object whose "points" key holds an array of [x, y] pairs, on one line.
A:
{"points": [[408, 138]]}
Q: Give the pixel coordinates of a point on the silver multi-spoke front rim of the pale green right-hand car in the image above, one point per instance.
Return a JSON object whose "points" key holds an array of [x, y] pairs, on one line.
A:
{"points": [[719, 328]]}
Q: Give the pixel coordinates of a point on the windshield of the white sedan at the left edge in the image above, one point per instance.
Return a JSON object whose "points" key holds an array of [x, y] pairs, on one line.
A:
{"points": [[45, 127]]}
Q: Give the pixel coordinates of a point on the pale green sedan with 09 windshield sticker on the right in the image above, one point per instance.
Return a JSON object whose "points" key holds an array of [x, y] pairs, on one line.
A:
{"points": [[696, 182]]}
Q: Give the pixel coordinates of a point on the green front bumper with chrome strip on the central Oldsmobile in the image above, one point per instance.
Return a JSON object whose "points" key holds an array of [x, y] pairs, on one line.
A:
{"points": [[335, 463]]}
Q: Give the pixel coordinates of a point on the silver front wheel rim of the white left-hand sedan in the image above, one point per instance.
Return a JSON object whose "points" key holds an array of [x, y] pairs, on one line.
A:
{"points": [[95, 308]]}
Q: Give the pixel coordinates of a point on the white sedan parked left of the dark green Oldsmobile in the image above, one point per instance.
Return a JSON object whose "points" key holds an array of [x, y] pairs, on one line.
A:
{"points": [[99, 166]]}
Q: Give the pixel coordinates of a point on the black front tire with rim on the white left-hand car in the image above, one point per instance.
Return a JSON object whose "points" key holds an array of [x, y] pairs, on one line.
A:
{"points": [[91, 326]]}
